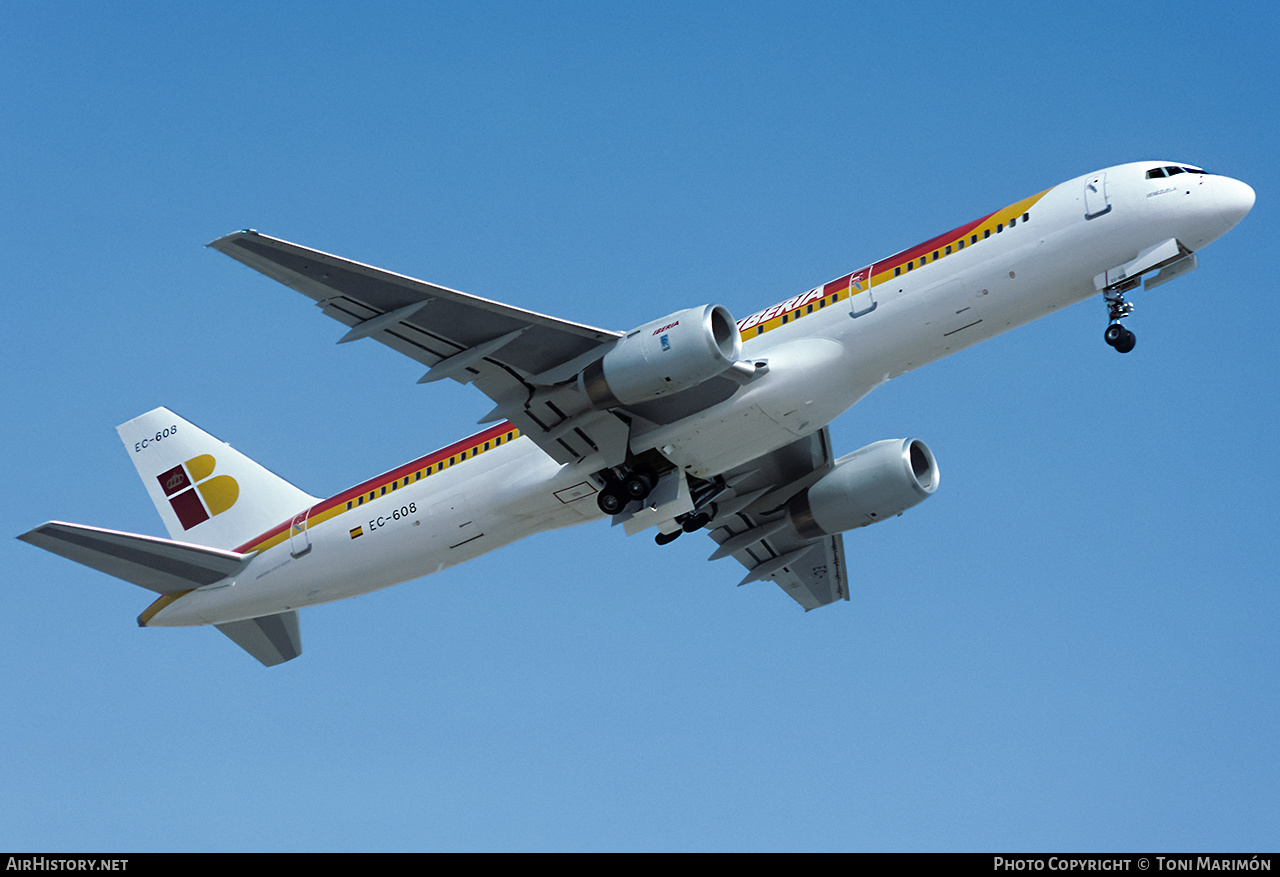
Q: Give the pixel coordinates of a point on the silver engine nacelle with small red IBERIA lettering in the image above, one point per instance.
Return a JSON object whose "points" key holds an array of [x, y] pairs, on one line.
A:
{"points": [[666, 357]]}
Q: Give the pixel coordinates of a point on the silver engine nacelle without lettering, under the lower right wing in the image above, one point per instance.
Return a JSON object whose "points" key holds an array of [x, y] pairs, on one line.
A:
{"points": [[865, 487]]}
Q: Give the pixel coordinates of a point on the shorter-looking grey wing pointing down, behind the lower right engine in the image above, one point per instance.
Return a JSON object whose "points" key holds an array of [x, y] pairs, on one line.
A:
{"points": [[751, 524]]}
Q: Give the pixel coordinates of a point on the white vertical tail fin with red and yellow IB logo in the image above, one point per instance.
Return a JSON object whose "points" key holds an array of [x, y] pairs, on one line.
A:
{"points": [[205, 491]]}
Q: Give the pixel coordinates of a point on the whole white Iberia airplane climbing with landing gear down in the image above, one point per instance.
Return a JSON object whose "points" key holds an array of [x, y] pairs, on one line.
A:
{"points": [[692, 422]]}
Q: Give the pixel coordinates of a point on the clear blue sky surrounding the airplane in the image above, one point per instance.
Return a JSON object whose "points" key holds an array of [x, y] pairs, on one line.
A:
{"points": [[1072, 646]]}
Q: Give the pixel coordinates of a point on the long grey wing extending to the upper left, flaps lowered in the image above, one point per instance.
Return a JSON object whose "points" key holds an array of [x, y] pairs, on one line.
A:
{"points": [[514, 357]]}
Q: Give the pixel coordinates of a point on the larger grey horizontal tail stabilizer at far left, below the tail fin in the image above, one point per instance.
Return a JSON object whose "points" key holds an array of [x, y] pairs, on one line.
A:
{"points": [[161, 565]]}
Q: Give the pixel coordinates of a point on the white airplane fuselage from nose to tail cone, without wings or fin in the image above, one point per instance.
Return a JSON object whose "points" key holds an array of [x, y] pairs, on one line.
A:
{"points": [[821, 362]]}
